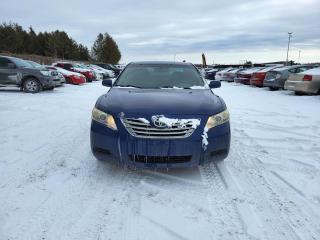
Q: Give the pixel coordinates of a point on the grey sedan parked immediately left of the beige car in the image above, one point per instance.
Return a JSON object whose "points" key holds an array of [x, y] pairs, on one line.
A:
{"points": [[276, 78]]}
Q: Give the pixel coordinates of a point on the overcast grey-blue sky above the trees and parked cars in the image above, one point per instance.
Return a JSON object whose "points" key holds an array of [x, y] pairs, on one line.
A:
{"points": [[226, 31]]}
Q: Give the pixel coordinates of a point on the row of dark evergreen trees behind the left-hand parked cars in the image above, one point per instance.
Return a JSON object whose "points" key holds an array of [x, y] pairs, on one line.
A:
{"points": [[57, 44]]}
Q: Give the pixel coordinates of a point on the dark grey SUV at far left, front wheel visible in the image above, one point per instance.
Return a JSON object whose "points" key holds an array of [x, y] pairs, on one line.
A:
{"points": [[17, 72]]}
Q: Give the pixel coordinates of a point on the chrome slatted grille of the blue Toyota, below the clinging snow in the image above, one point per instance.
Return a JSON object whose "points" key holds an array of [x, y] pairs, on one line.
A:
{"points": [[143, 129]]}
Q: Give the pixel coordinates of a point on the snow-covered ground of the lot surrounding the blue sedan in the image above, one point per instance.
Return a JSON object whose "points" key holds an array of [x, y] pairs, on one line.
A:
{"points": [[51, 187]]}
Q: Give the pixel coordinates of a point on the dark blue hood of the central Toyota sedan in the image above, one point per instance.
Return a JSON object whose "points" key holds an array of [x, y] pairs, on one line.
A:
{"points": [[161, 101]]}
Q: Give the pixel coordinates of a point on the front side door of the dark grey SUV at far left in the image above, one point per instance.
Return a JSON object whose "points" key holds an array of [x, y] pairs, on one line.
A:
{"points": [[8, 72]]}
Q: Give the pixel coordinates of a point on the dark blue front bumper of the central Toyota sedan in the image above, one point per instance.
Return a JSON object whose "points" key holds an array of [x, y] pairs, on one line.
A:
{"points": [[120, 147]]}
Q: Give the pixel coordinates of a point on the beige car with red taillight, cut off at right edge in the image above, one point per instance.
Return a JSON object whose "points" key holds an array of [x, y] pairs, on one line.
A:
{"points": [[305, 82]]}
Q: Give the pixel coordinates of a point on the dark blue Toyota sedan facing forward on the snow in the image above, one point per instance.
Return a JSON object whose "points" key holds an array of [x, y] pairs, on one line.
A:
{"points": [[160, 115]]}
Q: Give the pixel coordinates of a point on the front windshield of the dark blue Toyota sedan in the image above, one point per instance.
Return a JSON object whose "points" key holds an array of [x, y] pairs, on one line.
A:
{"points": [[160, 76]]}
